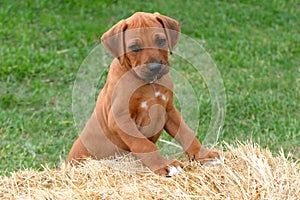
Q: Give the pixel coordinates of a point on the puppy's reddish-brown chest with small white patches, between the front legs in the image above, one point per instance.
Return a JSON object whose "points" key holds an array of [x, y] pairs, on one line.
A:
{"points": [[148, 108]]}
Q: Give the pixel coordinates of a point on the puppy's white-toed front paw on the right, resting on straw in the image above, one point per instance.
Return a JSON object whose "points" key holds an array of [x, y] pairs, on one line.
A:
{"points": [[205, 156]]}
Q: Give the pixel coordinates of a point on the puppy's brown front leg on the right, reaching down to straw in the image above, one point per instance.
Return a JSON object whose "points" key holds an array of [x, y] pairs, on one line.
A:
{"points": [[178, 129]]}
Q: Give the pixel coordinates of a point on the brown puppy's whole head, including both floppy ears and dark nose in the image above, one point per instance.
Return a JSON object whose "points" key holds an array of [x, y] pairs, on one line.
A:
{"points": [[141, 43]]}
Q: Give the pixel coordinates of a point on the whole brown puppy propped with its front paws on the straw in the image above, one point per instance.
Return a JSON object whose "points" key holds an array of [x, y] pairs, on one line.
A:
{"points": [[137, 102]]}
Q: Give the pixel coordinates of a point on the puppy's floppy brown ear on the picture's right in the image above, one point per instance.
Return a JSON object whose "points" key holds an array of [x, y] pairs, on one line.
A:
{"points": [[171, 27]]}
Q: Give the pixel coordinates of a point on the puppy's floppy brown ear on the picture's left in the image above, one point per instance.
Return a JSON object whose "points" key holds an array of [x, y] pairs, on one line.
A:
{"points": [[113, 40]]}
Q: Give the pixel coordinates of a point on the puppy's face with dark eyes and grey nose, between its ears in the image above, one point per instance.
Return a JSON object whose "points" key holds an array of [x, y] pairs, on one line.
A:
{"points": [[147, 52]]}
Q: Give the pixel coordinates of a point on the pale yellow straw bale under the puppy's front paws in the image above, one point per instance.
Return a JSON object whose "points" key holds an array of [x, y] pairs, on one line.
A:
{"points": [[247, 173]]}
